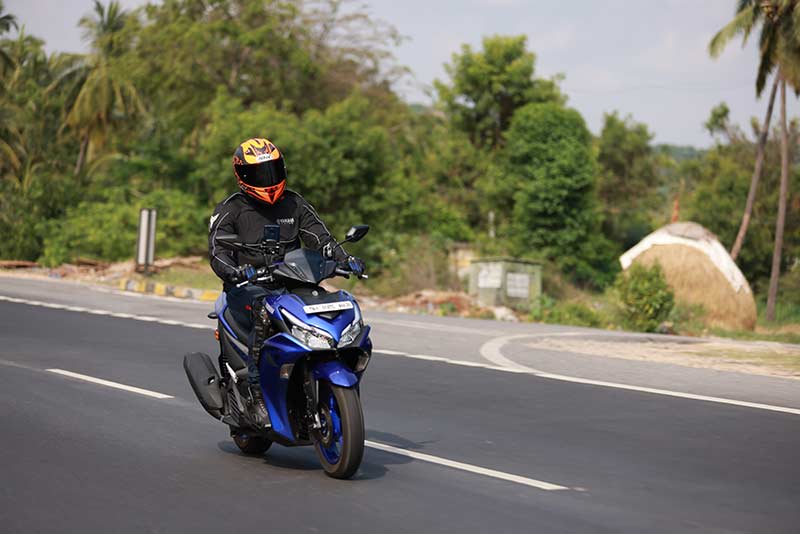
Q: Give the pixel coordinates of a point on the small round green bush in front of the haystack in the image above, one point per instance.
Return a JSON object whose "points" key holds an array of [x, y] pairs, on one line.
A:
{"points": [[644, 298]]}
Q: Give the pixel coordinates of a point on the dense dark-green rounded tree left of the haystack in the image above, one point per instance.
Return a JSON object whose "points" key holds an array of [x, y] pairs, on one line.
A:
{"points": [[546, 183]]}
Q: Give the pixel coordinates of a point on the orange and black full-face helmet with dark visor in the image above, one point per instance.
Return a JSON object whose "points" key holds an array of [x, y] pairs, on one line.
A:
{"points": [[260, 170]]}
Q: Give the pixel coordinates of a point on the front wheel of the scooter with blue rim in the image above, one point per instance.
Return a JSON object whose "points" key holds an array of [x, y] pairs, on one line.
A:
{"points": [[340, 441]]}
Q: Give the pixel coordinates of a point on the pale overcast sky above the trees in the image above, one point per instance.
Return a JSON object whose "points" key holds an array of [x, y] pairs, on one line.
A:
{"points": [[644, 57]]}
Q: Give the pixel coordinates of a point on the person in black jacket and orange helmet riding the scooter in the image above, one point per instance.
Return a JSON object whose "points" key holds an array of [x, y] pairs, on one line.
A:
{"points": [[263, 199]]}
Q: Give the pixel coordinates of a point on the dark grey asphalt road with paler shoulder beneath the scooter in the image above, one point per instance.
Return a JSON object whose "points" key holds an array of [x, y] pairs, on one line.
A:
{"points": [[82, 457]]}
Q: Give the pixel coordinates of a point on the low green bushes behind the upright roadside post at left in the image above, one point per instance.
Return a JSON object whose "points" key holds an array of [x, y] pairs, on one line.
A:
{"points": [[108, 229]]}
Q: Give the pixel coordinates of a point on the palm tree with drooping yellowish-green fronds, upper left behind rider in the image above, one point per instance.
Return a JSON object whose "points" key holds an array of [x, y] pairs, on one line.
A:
{"points": [[103, 93]]}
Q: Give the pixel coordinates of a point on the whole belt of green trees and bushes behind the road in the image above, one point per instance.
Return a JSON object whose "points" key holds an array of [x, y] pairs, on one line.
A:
{"points": [[152, 114]]}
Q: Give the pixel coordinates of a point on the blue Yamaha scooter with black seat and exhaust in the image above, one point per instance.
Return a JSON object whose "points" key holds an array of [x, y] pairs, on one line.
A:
{"points": [[311, 365]]}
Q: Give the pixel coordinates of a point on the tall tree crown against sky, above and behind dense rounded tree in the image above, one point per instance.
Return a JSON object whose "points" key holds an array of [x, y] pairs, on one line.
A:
{"points": [[488, 86]]}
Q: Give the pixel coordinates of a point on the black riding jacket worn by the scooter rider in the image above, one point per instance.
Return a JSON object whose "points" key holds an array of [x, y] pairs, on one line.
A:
{"points": [[246, 217]]}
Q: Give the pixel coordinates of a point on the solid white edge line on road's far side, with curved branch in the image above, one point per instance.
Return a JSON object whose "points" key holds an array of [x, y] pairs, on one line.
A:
{"points": [[516, 368]]}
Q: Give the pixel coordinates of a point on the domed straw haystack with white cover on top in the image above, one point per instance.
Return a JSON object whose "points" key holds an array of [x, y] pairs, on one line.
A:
{"points": [[700, 271]]}
